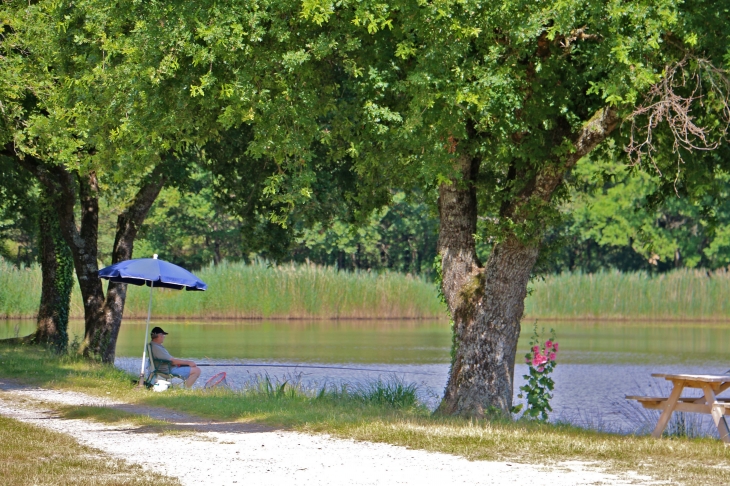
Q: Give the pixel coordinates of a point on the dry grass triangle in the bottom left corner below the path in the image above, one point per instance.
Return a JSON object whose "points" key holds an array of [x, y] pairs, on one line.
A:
{"points": [[33, 455]]}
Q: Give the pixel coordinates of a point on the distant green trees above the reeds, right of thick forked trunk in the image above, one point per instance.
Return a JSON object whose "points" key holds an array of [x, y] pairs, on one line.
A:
{"points": [[620, 217]]}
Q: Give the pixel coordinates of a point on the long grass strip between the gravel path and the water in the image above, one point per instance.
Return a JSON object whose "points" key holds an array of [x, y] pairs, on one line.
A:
{"points": [[387, 412]]}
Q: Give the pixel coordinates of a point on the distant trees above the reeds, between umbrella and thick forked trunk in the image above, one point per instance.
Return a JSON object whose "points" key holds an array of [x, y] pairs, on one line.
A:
{"points": [[190, 227]]}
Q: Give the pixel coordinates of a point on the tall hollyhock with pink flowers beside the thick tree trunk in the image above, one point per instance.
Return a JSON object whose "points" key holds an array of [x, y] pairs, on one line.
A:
{"points": [[537, 390]]}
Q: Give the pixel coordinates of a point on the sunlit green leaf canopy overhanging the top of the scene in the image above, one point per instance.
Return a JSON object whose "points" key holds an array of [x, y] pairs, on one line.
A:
{"points": [[363, 98]]}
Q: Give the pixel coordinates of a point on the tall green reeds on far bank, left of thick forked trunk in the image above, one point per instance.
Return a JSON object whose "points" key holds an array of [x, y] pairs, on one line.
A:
{"points": [[258, 290]]}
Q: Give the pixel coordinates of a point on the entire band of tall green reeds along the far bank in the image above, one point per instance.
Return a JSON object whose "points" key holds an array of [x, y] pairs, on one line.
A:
{"points": [[258, 290]]}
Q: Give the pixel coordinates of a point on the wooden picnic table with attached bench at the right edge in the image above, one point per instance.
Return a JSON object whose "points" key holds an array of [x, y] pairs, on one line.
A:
{"points": [[709, 403]]}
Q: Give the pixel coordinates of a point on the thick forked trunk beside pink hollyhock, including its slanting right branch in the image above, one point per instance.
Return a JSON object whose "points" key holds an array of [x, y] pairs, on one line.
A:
{"points": [[487, 304]]}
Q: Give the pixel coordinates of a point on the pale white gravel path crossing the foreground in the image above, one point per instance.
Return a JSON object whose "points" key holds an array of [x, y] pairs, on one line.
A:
{"points": [[220, 453]]}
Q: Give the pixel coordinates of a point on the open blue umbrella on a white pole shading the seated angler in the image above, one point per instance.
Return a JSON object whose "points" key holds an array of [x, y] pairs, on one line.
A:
{"points": [[153, 273]]}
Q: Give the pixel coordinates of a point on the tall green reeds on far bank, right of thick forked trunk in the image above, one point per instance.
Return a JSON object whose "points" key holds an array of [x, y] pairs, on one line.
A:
{"points": [[677, 295]]}
